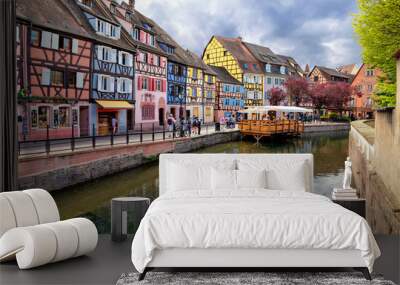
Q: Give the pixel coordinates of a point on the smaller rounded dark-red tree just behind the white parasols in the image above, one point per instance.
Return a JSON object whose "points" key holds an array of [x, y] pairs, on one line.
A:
{"points": [[297, 89]]}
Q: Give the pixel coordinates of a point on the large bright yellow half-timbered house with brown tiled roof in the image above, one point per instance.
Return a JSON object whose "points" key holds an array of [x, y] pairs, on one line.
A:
{"points": [[232, 54]]}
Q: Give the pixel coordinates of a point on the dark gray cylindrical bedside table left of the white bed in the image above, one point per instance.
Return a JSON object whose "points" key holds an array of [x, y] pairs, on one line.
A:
{"points": [[120, 207]]}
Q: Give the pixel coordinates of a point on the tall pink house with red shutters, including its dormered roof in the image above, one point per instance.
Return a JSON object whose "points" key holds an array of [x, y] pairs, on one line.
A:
{"points": [[150, 64]]}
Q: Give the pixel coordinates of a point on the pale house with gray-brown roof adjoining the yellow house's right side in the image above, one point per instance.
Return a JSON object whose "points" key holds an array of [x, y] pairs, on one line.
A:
{"points": [[277, 68]]}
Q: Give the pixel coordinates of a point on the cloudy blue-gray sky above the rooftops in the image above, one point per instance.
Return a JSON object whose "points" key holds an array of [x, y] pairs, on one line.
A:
{"points": [[312, 31]]}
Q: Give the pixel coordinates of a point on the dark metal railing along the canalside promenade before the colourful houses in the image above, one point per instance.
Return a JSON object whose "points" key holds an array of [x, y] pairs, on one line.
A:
{"points": [[73, 143]]}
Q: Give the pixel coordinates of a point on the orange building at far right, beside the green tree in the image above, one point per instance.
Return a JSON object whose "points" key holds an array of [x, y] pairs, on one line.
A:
{"points": [[364, 83]]}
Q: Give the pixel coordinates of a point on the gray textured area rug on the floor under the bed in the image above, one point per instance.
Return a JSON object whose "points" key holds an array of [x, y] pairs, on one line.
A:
{"points": [[228, 278]]}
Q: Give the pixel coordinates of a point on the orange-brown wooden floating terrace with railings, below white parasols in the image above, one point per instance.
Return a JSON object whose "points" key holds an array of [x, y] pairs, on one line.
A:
{"points": [[263, 128]]}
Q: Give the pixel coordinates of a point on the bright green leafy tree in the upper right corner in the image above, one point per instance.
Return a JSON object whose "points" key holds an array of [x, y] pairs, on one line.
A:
{"points": [[378, 28]]}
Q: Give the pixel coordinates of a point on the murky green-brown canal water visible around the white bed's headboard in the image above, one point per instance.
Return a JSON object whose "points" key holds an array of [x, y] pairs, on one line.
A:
{"points": [[92, 199]]}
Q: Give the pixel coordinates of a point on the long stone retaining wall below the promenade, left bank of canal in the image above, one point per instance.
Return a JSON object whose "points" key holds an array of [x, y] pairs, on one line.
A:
{"points": [[55, 172]]}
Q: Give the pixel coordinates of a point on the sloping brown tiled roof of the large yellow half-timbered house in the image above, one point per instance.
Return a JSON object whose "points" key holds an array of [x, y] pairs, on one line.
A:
{"points": [[239, 51]]}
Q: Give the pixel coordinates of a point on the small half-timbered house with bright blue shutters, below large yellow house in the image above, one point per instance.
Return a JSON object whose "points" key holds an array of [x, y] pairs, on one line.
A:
{"points": [[229, 94]]}
